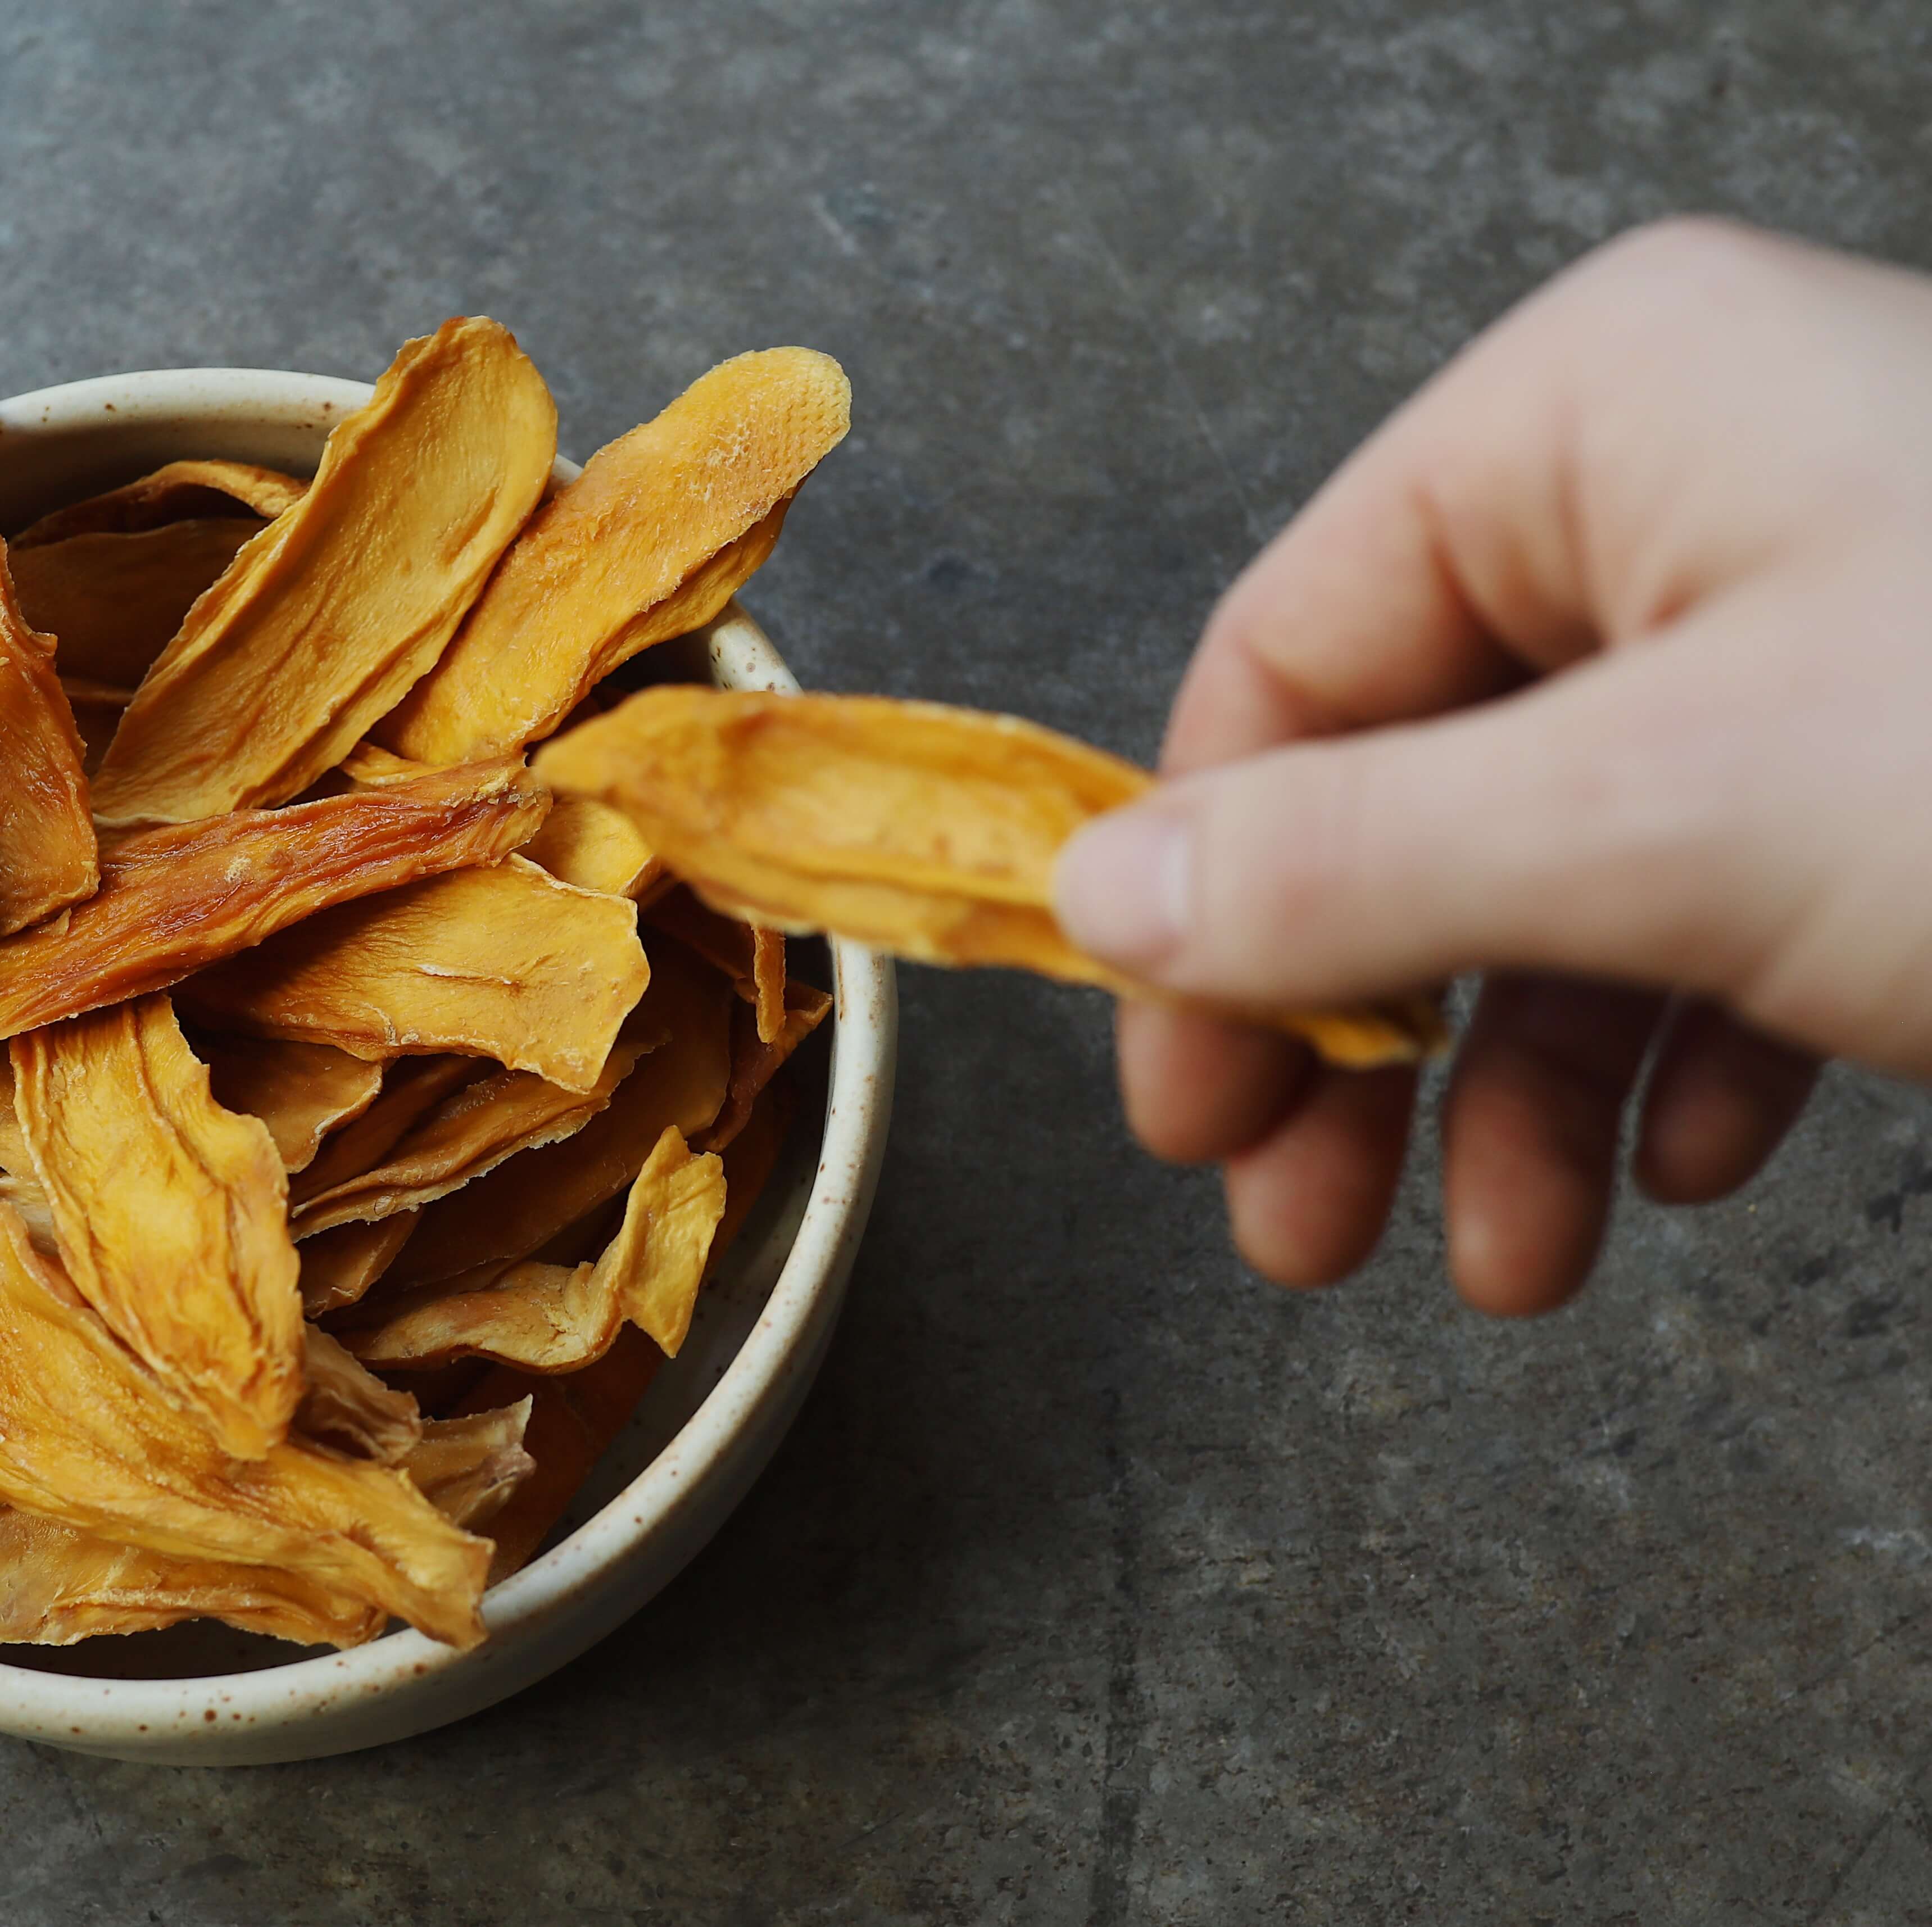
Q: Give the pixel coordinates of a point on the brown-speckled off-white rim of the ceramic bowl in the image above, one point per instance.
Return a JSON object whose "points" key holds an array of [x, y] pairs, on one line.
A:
{"points": [[98, 1713]]}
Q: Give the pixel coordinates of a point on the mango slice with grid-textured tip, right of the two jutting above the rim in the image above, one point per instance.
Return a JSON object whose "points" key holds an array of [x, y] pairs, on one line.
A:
{"points": [[648, 544]]}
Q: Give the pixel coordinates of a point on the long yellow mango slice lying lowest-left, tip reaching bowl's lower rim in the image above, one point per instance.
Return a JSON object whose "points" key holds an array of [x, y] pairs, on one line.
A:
{"points": [[90, 1443]]}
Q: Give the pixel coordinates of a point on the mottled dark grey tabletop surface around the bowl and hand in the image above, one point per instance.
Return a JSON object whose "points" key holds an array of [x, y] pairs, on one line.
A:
{"points": [[1098, 1582]]}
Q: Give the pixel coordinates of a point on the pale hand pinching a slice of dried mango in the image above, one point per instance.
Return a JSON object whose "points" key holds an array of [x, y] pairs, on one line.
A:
{"points": [[1605, 668]]}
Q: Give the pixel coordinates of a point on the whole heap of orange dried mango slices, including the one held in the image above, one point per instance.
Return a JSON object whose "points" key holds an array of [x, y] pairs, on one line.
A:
{"points": [[384, 1095]]}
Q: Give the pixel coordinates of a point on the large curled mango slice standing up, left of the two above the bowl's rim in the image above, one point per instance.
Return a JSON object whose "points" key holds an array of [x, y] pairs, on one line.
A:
{"points": [[345, 600]]}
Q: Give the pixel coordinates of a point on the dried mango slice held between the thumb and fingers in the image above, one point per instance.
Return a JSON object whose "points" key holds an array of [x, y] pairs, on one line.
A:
{"points": [[907, 826]]}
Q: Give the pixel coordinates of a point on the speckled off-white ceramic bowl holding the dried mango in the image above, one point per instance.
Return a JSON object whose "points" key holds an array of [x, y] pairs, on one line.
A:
{"points": [[712, 1420]]}
